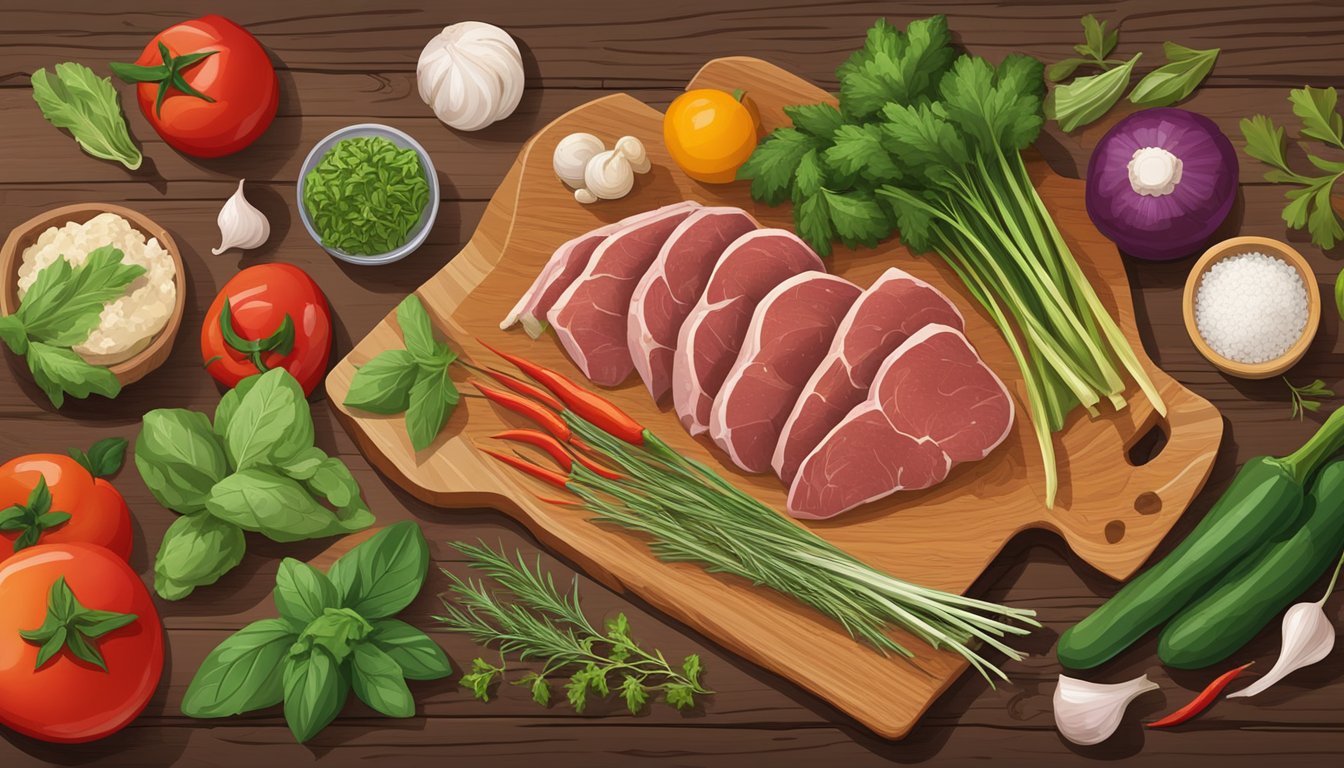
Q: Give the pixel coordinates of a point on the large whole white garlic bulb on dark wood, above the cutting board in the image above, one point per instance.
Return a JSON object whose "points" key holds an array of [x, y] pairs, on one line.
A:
{"points": [[471, 75]]}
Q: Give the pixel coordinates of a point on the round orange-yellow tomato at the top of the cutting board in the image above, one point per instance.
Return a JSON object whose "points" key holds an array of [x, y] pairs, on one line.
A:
{"points": [[710, 134]]}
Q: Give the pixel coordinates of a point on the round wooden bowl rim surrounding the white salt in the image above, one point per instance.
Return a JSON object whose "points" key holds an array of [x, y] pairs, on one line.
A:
{"points": [[1236, 247]]}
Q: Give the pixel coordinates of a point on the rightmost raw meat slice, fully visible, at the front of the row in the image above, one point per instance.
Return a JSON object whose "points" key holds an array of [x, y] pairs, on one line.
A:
{"points": [[932, 406]]}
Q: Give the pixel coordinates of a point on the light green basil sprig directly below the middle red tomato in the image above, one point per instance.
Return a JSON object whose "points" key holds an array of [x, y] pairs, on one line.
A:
{"points": [[255, 470]]}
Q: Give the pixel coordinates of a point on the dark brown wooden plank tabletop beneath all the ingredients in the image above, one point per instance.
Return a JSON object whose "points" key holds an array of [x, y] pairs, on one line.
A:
{"points": [[345, 63]]}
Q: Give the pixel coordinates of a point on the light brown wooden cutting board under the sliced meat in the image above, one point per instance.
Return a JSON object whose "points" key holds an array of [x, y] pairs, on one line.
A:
{"points": [[1111, 512]]}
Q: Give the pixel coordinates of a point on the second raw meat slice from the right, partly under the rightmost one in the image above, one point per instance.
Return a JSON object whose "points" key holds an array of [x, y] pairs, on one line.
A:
{"points": [[886, 315]]}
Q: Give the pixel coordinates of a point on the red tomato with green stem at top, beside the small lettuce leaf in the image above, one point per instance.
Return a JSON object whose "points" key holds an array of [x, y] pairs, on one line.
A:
{"points": [[232, 93]]}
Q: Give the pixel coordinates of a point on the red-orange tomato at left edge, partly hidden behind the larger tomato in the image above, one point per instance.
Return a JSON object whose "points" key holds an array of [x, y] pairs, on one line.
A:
{"points": [[97, 512]]}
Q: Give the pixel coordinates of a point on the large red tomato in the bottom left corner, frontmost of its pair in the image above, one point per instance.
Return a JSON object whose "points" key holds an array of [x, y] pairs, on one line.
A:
{"points": [[68, 699]]}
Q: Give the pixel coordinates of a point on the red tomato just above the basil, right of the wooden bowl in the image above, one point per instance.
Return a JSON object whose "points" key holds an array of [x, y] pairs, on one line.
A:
{"points": [[260, 302]]}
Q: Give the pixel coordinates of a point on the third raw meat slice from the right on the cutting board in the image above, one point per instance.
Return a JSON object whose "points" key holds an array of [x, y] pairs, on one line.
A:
{"points": [[790, 334]]}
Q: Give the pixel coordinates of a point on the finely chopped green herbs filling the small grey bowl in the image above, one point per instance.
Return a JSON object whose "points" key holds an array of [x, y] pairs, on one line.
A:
{"points": [[366, 196]]}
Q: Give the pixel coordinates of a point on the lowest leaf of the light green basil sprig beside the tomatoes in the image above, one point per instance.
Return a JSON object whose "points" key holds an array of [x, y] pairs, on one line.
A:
{"points": [[196, 552]]}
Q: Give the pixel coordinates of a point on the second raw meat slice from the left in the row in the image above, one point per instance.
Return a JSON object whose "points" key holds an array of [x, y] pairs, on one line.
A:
{"points": [[589, 318]]}
